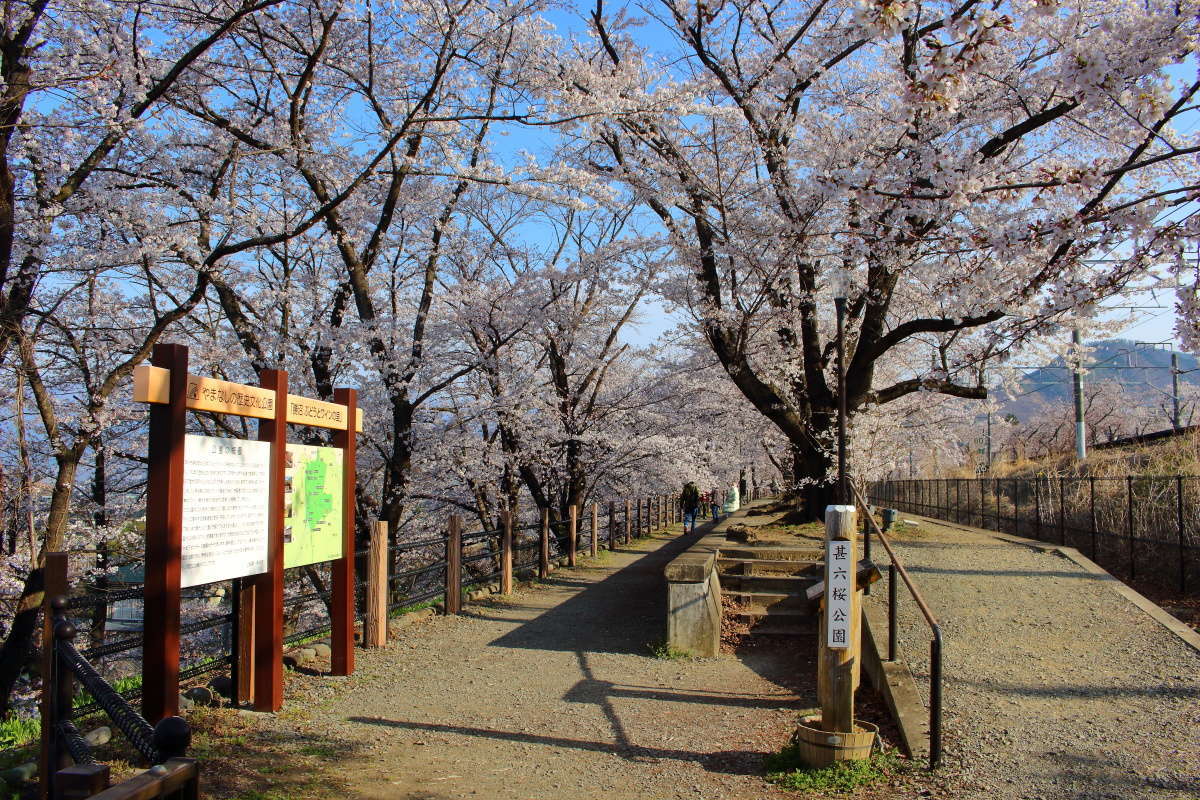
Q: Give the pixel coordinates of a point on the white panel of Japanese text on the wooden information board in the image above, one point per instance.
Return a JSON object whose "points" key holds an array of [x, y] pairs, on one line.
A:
{"points": [[226, 506]]}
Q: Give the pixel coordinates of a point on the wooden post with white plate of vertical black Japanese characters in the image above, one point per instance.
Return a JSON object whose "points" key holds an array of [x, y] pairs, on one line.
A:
{"points": [[838, 661]]}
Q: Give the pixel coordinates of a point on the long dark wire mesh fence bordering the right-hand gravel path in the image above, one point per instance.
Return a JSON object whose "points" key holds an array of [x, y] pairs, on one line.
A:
{"points": [[1143, 528]]}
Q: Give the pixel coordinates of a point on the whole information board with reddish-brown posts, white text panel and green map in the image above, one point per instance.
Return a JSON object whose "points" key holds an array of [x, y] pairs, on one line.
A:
{"points": [[221, 509]]}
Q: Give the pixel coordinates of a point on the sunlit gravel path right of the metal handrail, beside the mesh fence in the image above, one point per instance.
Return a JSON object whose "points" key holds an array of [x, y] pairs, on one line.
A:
{"points": [[1057, 687]]}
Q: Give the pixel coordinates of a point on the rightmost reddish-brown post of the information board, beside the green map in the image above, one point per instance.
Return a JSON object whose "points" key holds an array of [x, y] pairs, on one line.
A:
{"points": [[343, 570]]}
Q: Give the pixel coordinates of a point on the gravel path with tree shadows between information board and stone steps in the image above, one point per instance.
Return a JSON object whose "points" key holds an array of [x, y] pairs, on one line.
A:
{"points": [[555, 693]]}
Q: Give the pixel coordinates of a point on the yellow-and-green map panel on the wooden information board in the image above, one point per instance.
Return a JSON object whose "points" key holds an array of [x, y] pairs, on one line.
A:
{"points": [[313, 500]]}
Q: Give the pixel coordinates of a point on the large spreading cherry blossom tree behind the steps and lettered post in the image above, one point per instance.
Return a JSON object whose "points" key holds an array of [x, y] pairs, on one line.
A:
{"points": [[957, 167]]}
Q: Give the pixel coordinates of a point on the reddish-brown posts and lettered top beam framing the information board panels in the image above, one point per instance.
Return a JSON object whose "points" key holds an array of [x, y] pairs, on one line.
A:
{"points": [[171, 392]]}
